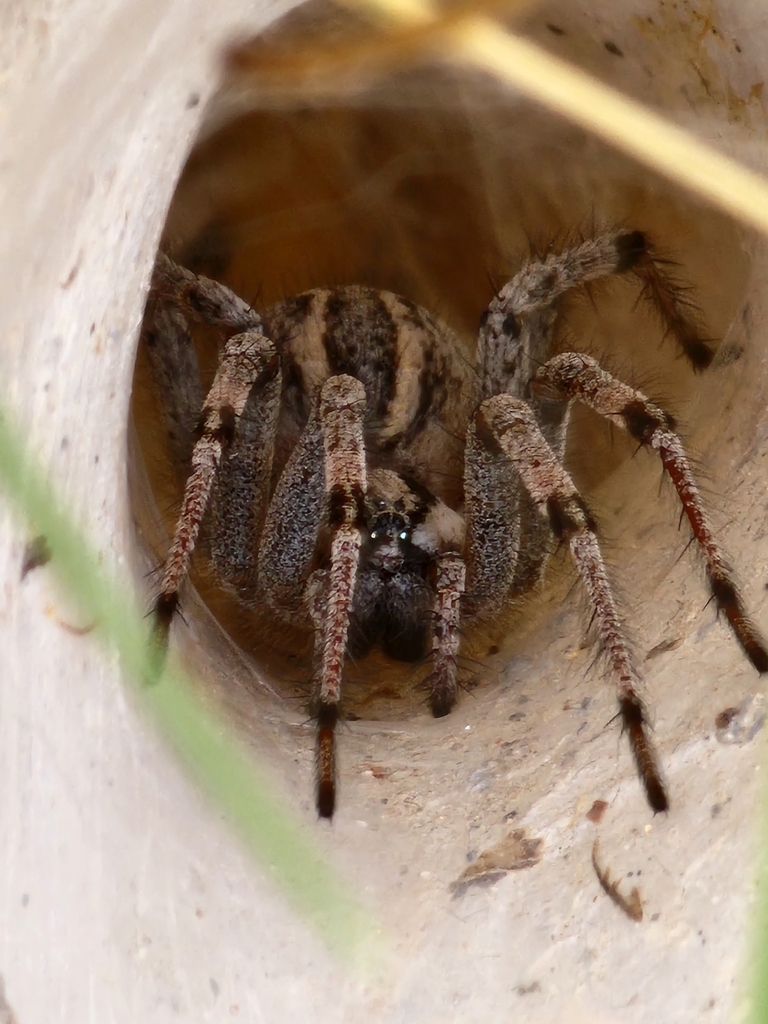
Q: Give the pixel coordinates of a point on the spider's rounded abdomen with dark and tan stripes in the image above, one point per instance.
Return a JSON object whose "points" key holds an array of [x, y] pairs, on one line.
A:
{"points": [[420, 389]]}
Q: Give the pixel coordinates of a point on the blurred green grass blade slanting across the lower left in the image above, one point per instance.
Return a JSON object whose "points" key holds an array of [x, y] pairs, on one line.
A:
{"points": [[200, 739]]}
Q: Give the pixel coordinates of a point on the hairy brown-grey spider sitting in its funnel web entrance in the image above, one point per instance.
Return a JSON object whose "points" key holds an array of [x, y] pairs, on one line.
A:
{"points": [[356, 475]]}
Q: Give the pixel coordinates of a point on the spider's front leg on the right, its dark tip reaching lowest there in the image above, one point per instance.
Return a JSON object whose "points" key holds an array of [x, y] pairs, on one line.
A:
{"points": [[506, 430]]}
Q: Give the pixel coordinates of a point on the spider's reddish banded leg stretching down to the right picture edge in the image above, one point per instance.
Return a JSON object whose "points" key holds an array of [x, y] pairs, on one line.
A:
{"points": [[581, 377]]}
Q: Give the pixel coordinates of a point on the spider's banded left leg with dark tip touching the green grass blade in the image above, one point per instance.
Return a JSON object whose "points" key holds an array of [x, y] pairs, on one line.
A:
{"points": [[249, 364]]}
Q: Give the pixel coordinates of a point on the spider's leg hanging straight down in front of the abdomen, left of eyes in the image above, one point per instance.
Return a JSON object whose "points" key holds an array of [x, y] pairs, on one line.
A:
{"points": [[330, 592]]}
